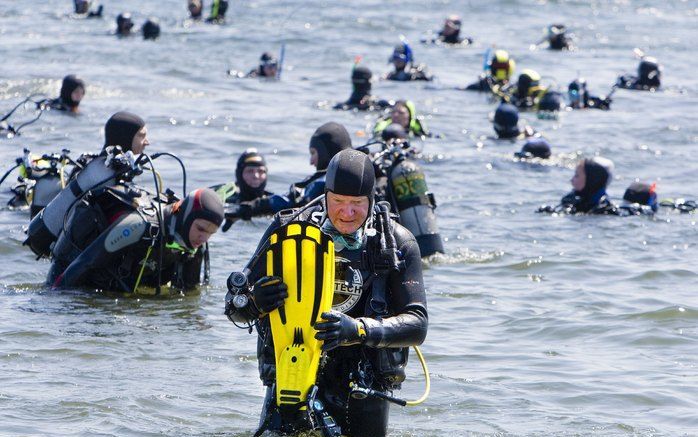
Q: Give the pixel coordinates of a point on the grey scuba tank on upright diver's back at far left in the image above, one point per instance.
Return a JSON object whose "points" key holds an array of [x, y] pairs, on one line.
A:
{"points": [[103, 170]]}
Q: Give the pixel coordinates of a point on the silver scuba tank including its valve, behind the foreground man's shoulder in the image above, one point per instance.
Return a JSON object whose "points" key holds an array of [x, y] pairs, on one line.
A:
{"points": [[409, 195]]}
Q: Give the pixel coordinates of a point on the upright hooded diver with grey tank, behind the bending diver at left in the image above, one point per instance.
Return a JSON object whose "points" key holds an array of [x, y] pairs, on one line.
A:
{"points": [[125, 136]]}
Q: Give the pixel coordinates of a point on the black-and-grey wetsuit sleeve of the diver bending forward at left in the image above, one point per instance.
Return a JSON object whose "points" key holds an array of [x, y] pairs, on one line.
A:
{"points": [[105, 250]]}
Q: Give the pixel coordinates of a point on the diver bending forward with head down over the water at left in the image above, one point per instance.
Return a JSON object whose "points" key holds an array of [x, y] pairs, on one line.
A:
{"points": [[116, 240]]}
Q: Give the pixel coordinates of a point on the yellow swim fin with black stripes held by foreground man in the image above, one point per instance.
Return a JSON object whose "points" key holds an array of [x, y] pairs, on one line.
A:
{"points": [[303, 256]]}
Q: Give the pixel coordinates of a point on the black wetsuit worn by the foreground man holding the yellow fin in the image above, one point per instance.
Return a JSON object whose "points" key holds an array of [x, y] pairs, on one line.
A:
{"points": [[393, 305]]}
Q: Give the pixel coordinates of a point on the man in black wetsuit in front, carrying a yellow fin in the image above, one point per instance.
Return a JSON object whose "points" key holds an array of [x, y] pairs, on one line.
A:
{"points": [[369, 327]]}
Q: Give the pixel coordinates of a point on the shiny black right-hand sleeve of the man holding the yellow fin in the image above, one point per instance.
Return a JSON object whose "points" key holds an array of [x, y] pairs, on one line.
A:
{"points": [[406, 298]]}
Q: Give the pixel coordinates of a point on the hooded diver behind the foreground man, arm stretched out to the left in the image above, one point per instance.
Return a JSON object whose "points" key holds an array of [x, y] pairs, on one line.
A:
{"points": [[328, 140]]}
